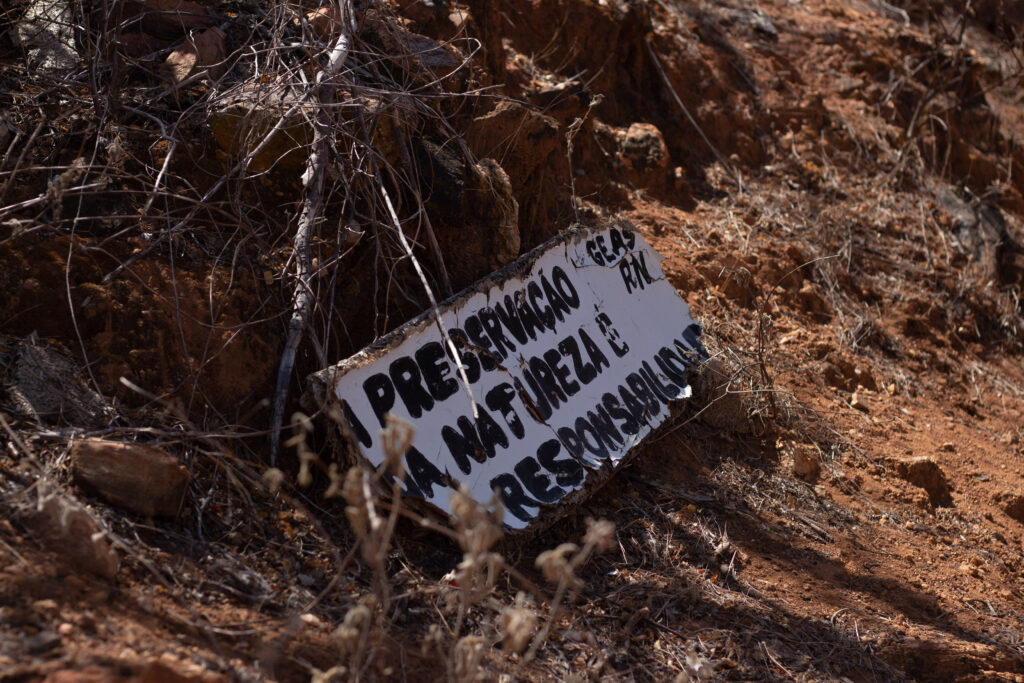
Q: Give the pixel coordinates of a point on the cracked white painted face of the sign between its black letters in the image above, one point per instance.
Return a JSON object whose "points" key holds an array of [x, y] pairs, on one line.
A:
{"points": [[649, 319]]}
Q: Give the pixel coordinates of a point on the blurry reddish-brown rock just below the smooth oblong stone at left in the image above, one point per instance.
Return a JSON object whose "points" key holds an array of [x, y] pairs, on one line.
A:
{"points": [[65, 528]]}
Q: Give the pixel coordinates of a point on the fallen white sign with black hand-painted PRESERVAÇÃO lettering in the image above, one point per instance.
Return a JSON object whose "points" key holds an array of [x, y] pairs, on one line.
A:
{"points": [[573, 354]]}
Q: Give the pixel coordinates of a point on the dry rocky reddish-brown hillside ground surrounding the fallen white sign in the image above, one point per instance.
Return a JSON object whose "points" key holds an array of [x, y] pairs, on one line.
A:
{"points": [[838, 191]]}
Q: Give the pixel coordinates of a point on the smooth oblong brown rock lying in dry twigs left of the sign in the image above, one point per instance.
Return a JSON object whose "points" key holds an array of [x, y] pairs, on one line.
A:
{"points": [[138, 478]]}
